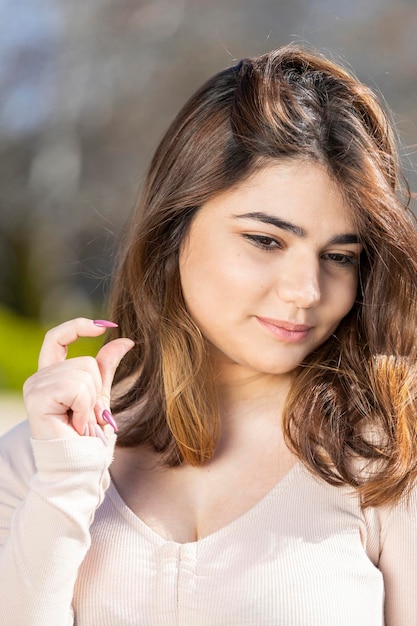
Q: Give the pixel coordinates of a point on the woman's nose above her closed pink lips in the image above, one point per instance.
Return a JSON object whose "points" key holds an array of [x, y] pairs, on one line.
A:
{"points": [[299, 284]]}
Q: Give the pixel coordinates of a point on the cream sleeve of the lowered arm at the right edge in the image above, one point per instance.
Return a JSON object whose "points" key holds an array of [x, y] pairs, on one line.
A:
{"points": [[398, 562]]}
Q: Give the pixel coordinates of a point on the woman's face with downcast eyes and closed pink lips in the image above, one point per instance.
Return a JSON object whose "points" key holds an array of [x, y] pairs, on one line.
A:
{"points": [[269, 268]]}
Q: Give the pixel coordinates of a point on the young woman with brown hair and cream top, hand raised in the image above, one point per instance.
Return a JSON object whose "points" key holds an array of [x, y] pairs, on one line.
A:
{"points": [[266, 455]]}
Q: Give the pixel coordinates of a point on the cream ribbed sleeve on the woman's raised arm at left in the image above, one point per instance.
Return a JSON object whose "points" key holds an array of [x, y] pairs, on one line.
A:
{"points": [[49, 492]]}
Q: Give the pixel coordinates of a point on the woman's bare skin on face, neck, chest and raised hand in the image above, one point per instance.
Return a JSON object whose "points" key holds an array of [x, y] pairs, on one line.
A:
{"points": [[265, 290]]}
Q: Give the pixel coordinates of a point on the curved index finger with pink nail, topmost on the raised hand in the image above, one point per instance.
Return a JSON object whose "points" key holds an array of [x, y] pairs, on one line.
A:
{"points": [[55, 345]]}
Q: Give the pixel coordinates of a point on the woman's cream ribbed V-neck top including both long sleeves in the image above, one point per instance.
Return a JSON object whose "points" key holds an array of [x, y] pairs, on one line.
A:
{"points": [[305, 555]]}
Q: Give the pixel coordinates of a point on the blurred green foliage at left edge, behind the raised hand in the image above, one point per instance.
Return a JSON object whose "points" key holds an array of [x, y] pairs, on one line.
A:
{"points": [[20, 342]]}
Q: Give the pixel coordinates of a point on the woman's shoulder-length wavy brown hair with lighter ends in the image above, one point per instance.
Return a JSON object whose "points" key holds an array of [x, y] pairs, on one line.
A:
{"points": [[351, 413]]}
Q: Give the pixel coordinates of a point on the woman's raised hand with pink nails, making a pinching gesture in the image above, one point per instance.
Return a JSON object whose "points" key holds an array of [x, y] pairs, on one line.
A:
{"points": [[67, 397]]}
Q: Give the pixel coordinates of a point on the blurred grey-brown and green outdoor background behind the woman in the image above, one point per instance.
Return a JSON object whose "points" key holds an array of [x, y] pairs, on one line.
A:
{"points": [[87, 87]]}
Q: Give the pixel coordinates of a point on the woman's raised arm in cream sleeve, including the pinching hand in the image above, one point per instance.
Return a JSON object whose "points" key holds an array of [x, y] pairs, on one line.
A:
{"points": [[52, 484]]}
